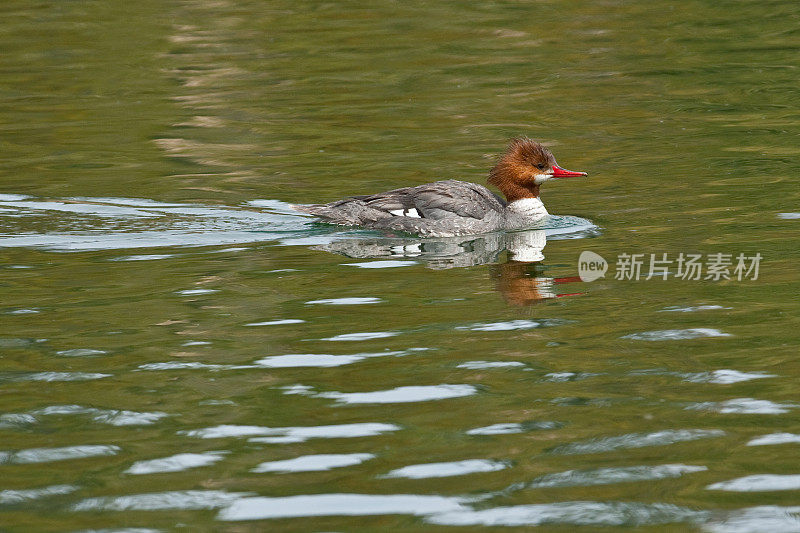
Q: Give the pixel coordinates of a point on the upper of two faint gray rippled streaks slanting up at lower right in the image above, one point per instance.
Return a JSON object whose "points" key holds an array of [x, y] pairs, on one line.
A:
{"points": [[635, 440]]}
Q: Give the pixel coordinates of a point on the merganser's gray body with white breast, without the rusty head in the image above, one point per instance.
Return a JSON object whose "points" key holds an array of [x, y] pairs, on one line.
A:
{"points": [[440, 209]]}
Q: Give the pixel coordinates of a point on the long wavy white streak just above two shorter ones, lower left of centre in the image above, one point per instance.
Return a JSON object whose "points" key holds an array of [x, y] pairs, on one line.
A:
{"points": [[293, 434]]}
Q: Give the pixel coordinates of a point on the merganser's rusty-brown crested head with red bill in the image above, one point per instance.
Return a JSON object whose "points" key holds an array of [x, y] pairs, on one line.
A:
{"points": [[524, 167]]}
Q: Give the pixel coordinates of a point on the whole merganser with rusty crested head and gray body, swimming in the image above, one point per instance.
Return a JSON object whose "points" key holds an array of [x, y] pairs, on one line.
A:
{"points": [[450, 208]]}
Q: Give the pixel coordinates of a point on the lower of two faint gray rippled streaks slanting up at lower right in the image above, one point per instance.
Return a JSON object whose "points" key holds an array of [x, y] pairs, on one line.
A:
{"points": [[607, 476]]}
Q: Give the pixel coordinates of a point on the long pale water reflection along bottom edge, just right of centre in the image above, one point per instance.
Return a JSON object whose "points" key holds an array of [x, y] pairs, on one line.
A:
{"points": [[579, 513]]}
